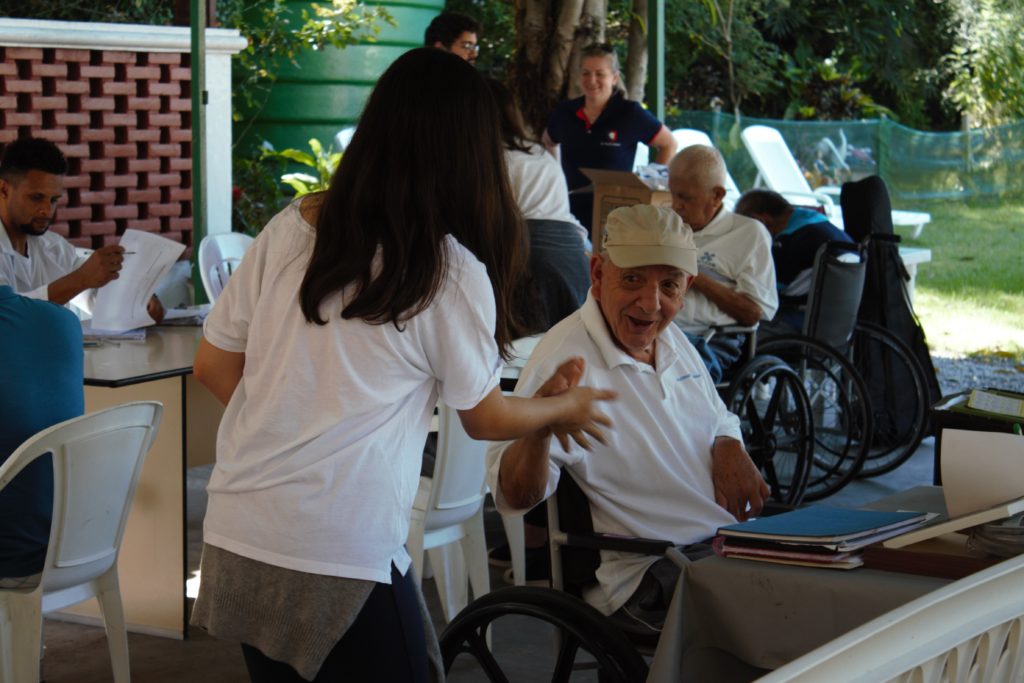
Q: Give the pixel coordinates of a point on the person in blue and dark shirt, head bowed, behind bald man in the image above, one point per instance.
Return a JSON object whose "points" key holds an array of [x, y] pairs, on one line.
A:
{"points": [[797, 233]]}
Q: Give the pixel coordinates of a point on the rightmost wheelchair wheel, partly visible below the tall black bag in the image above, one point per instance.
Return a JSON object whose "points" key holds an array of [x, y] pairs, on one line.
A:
{"points": [[900, 406]]}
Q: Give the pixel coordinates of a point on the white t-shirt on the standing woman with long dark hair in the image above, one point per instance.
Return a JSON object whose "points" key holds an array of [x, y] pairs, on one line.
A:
{"points": [[319, 451]]}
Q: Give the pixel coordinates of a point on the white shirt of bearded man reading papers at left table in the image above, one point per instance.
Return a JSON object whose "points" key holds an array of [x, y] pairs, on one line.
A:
{"points": [[50, 258]]}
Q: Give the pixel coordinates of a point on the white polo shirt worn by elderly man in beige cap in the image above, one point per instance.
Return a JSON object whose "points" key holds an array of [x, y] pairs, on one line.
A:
{"points": [[654, 478]]}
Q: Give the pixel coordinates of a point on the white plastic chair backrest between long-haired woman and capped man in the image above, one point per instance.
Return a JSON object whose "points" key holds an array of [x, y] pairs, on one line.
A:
{"points": [[459, 474]]}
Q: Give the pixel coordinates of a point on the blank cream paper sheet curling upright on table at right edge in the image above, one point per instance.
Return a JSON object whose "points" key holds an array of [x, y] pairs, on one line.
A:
{"points": [[982, 469]]}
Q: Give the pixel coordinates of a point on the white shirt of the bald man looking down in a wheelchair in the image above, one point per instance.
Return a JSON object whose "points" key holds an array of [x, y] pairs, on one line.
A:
{"points": [[737, 251]]}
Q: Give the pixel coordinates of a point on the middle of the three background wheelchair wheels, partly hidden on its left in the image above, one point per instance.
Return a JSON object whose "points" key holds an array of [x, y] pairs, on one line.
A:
{"points": [[840, 407]]}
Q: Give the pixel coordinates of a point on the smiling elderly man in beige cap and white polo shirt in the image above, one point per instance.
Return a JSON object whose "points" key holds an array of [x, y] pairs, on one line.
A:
{"points": [[673, 465]]}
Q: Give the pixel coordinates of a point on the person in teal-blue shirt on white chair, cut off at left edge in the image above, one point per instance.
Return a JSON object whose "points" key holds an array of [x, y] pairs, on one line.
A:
{"points": [[40, 386]]}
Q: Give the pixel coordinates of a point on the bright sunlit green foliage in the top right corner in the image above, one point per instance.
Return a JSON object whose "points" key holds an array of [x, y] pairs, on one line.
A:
{"points": [[987, 66]]}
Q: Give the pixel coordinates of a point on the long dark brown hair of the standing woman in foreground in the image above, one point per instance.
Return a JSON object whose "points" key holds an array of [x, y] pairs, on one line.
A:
{"points": [[426, 161]]}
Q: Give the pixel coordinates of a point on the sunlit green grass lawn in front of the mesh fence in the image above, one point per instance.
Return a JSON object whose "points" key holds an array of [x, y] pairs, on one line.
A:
{"points": [[970, 297]]}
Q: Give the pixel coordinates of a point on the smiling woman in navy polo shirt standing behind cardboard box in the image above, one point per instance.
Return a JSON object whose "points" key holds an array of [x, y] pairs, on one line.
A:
{"points": [[602, 130]]}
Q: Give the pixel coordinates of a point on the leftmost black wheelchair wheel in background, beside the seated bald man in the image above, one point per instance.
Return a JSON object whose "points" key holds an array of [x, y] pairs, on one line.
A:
{"points": [[778, 425]]}
